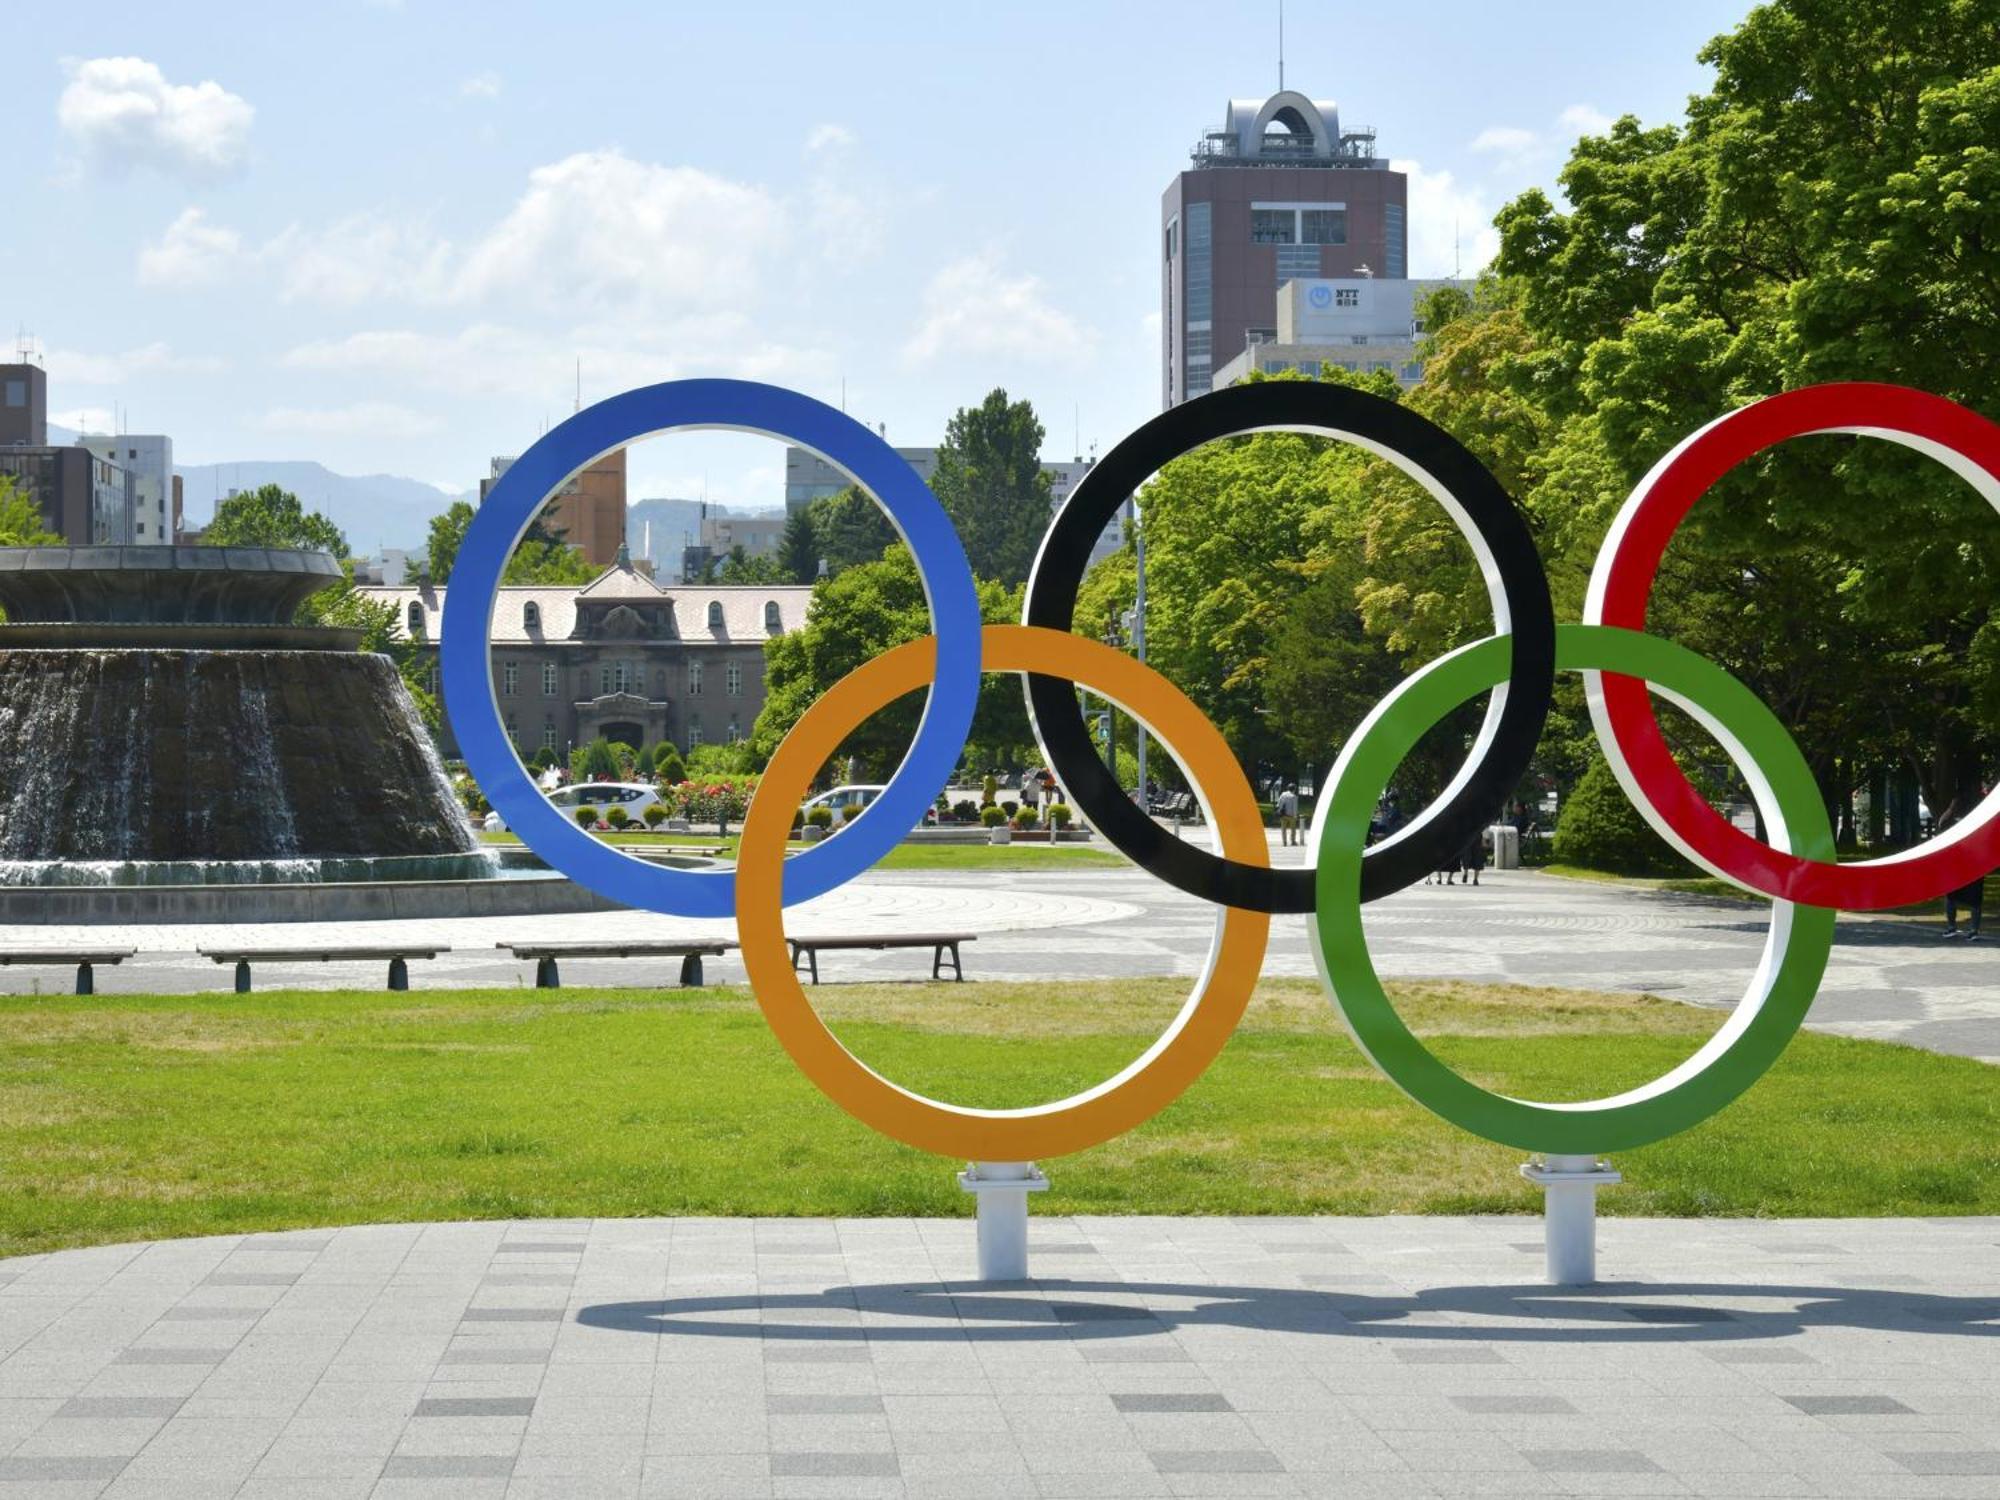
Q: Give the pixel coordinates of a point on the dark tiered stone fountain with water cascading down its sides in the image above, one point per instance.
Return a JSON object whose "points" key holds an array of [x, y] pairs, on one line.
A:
{"points": [[231, 759]]}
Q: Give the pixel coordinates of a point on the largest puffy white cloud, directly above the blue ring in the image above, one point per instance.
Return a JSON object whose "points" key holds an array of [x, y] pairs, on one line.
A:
{"points": [[613, 233]]}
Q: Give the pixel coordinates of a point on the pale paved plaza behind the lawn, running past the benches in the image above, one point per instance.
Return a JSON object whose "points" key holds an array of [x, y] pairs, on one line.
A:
{"points": [[1889, 979]]}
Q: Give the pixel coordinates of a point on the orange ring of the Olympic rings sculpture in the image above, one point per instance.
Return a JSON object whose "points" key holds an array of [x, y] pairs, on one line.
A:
{"points": [[1135, 1095]]}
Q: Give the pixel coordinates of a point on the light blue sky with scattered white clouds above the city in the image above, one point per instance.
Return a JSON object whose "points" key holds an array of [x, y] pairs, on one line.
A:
{"points": [[383, 235]]}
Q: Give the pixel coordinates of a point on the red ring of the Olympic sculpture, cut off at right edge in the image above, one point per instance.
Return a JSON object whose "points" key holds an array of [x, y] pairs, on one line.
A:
{"points": [[1621, 587]]}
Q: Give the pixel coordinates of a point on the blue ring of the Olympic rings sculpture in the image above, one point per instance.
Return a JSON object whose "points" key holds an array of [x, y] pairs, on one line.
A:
{"points": [[745, 407]]}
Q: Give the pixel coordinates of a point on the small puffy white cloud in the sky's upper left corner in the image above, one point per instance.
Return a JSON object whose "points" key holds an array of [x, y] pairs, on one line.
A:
{"points": [[121, 113]]}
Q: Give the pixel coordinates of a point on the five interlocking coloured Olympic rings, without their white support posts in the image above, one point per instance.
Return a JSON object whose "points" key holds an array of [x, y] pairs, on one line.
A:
{"points": [[1517, 665]]}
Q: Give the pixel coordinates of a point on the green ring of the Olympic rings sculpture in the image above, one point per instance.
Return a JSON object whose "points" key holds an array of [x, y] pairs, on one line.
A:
{"points": [[1795, 953]]}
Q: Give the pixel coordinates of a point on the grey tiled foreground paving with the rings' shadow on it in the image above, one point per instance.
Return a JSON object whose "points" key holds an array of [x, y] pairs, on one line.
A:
{"points": [[1155, 1357]]}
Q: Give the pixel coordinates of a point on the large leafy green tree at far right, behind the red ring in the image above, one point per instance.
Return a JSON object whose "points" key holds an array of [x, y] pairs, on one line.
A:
{"points": [[1827, 213]]}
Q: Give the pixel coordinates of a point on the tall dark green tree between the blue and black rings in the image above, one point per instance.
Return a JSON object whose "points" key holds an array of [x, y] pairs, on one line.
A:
{"points": [[993, 485]]}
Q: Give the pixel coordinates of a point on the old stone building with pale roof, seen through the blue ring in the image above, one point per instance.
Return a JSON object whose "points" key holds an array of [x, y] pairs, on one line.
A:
{"points": [[619, 657]]}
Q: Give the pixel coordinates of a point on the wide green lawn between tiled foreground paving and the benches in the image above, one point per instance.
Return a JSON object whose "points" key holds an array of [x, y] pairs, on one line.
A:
{"points": [[139, 1117]]}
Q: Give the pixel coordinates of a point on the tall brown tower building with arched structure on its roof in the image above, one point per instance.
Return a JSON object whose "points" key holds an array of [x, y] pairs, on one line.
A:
{"points": [[1279, 193]]}
